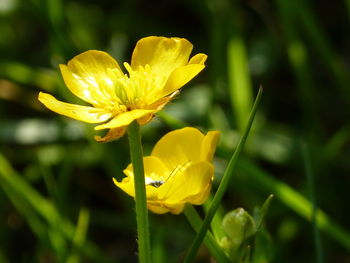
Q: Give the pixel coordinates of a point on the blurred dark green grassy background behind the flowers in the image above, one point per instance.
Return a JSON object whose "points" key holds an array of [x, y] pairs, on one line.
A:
{"points": [[57, 199]]}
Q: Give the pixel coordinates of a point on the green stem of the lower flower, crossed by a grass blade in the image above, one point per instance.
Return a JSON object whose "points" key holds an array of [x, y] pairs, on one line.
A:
{"points": [[209, 240]]}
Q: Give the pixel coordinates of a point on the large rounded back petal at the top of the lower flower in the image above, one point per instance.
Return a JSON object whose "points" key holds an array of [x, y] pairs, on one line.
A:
{"points": [[179, 147]]}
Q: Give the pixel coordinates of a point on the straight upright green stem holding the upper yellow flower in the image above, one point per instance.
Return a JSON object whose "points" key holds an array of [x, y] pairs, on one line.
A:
{"points": [[140, 192]]}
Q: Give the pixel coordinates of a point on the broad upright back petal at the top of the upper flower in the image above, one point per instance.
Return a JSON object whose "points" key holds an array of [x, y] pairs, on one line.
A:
{"points": [[162, 54]]}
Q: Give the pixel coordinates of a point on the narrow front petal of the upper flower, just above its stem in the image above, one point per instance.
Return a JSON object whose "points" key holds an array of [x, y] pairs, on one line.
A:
{"points": [[124, 119]]}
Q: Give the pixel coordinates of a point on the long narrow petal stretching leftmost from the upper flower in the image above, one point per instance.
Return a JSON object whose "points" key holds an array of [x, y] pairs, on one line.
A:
{"points": [[78, 112]]}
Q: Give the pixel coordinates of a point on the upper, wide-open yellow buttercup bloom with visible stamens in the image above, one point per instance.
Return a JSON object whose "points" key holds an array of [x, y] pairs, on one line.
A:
{"points": [[159, 67]]}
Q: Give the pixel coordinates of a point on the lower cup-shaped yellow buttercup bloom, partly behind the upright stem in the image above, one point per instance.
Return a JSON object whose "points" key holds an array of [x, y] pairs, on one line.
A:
{"points": [[179, 171]]}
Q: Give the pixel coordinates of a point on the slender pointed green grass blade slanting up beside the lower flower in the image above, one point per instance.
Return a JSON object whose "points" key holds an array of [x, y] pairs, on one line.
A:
{"points": [[223, 185]]}
